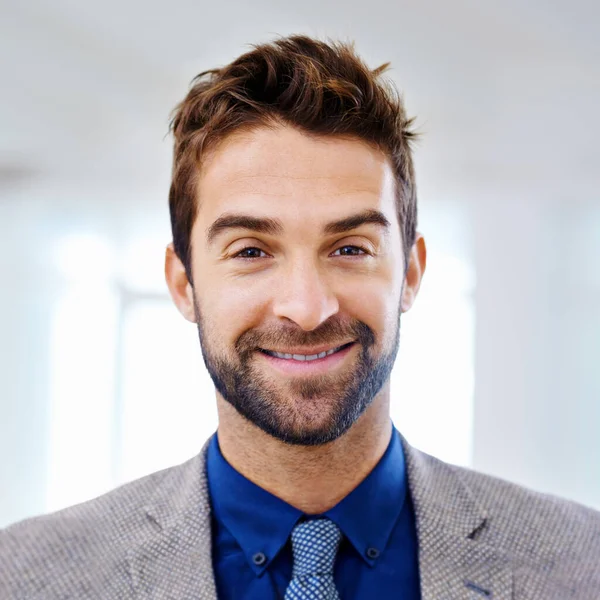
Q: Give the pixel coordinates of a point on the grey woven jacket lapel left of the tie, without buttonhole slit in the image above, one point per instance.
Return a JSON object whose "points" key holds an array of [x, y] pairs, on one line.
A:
{"points": [[174, 560]]}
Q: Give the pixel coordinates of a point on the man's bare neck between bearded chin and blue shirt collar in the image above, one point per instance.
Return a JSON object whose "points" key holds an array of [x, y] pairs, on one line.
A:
{"points": [[311, 478]]}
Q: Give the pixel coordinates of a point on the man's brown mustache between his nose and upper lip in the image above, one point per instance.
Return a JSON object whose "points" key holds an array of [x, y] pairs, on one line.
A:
{"points": [[333, 332]]}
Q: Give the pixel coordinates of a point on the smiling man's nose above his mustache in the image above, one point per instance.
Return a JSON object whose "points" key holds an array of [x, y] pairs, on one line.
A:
{"points": [[304, 297]]}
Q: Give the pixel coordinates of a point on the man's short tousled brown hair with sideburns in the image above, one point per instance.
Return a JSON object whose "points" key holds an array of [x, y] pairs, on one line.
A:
{"points": [[320, 88]]}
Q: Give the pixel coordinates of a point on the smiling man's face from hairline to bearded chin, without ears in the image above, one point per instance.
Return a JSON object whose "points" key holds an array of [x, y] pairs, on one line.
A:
{"points": [[297, 252]]}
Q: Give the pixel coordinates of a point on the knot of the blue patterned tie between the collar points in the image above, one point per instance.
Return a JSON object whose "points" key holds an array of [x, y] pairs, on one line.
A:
{"points": [[314, 545]]}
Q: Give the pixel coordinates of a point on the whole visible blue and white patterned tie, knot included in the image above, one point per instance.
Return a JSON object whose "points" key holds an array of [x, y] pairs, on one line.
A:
{"points": [[314, 545]]}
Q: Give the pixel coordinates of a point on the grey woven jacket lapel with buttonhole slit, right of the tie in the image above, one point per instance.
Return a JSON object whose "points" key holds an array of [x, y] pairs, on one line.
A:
{"points": [[454, 561]]}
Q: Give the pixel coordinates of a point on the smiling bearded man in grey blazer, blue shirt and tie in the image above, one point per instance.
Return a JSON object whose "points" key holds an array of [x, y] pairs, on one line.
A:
{"points": [[295, 251]]}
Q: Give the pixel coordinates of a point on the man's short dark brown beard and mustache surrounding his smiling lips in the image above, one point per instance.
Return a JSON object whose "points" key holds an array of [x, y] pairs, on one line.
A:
{"points": [[305, 411]]}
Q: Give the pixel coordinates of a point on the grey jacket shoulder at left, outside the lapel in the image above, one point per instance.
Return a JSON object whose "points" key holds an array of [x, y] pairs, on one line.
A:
{"points": [[89, 540]]}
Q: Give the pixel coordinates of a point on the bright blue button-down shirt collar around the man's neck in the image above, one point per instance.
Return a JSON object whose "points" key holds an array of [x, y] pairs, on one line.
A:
{"points": [[263, 522]]}
